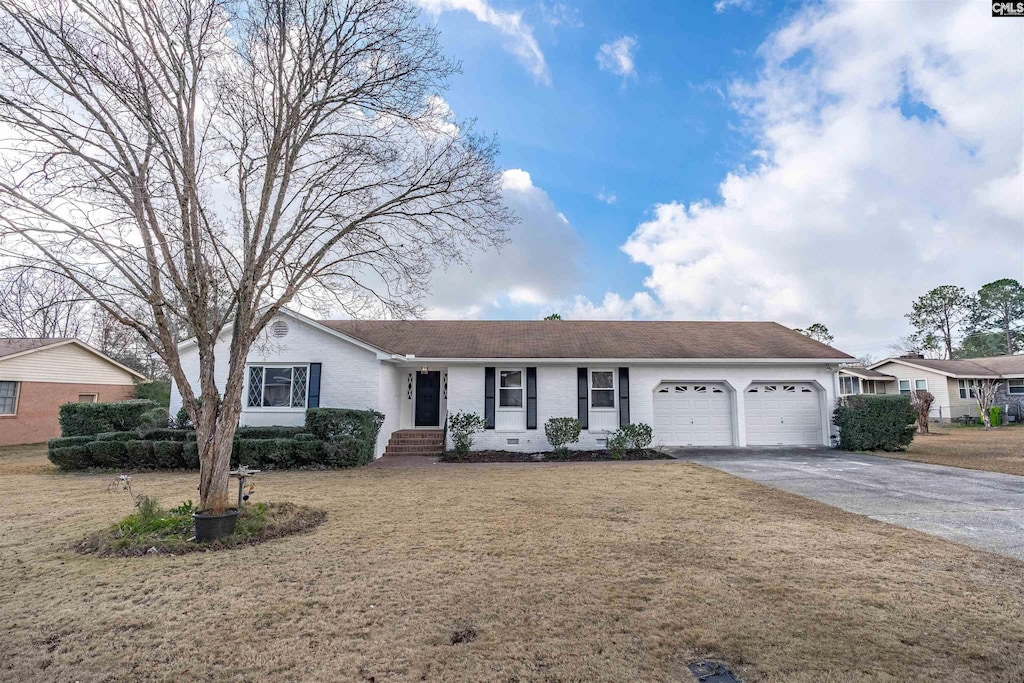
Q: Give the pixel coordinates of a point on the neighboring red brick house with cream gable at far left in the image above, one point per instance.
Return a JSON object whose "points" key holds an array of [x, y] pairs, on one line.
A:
{"points": [[37, 376]]}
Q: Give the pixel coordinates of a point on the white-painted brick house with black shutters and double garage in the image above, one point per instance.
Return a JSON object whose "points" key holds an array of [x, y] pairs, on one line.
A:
{"points": [[696, 383]]}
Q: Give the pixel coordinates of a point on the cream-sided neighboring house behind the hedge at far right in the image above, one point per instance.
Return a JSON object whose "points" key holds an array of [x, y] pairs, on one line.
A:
{"points": [[952, 382]]}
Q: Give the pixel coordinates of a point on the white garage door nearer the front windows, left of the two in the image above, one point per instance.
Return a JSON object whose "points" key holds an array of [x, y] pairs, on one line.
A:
{"points": [[692, 414]]}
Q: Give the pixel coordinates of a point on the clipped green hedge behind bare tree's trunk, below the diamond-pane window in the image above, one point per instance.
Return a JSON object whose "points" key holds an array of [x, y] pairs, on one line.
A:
{"points": [[355, 436]]}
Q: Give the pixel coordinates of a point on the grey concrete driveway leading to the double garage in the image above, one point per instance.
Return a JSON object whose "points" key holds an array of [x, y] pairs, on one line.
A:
{"points": [[980, 509]]}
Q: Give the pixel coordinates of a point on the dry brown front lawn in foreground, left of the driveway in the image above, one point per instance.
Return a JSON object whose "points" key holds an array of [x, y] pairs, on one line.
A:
{"points": [[614, 572]]}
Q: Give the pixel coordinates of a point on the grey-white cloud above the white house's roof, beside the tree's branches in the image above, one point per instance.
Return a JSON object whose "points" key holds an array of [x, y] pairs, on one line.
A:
{"points": [[539, 267]]}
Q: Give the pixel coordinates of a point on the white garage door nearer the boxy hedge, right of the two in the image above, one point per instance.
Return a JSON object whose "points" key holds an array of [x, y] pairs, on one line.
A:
{"points": [[783, 414]]}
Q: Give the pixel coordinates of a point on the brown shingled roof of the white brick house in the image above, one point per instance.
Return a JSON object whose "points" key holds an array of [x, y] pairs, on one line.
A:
{"points": [[585, 339]]}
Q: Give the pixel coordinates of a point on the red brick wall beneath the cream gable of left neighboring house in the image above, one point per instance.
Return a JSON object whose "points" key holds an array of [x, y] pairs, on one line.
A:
{"points": [[39, 404]]}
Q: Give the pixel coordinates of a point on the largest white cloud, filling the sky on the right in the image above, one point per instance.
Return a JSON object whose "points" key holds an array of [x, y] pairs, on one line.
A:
{"points": [[851, 209]]}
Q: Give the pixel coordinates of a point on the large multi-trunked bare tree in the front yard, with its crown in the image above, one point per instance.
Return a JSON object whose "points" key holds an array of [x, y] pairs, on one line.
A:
{"points": [[200, 164]]}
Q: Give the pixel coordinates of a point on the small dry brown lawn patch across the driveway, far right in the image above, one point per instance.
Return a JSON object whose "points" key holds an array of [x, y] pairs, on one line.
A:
{"points": [[999, 450]]}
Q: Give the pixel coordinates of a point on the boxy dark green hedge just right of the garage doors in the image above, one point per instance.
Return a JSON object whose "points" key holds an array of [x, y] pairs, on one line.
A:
{"points": [[875, 423]]}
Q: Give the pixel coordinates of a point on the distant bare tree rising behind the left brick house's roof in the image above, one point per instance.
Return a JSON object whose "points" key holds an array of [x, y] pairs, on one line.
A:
{"points": [[41, 304]]}
